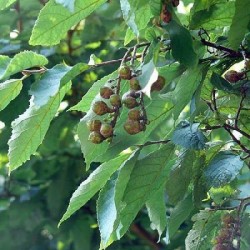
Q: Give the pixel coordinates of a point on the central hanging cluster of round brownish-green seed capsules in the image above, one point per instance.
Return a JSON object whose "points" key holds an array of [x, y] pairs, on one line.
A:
{"points": [[136, 120]]}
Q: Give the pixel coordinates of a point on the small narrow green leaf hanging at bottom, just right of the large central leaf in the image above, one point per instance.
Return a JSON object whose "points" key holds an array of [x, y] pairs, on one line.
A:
{"points": [[157, 210]]}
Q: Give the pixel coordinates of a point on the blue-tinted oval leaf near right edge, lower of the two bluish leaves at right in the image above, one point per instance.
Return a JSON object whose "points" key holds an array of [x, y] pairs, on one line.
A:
{"points": [[223, 168]]}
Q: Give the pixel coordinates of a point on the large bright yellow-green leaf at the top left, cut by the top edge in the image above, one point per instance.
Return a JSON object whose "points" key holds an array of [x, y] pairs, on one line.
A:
{"points": [[54, 21]]}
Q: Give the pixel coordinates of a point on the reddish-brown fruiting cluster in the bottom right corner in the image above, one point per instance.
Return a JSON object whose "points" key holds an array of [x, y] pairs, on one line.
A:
{"points": [[229, 231]]}
